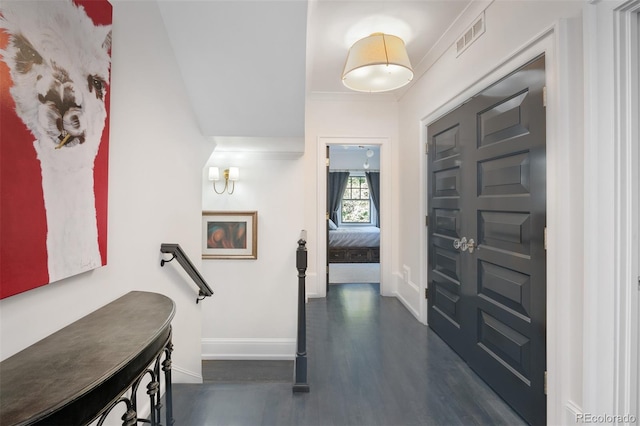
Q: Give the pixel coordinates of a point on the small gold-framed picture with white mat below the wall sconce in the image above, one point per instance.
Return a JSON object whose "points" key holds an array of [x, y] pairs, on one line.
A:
{"points": [[229, 235]]}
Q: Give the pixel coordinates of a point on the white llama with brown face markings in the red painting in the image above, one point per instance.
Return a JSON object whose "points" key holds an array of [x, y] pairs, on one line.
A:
{"points": [[59, 64]]}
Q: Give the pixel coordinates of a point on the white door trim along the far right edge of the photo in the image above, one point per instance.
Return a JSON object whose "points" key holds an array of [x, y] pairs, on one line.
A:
{"points": [[612, 186]]}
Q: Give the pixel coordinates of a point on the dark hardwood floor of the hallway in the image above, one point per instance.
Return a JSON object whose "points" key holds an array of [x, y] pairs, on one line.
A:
{"points": [[370, 363]]}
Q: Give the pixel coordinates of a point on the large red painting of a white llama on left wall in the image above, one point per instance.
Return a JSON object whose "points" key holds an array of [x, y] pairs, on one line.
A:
{"points": [[55, 64]]}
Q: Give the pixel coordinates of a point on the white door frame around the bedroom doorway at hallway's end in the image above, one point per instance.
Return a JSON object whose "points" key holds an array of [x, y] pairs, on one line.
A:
{"points": [[385, 209]]}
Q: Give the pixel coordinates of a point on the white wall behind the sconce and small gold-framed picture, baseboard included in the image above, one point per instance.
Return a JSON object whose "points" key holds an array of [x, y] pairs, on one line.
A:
{"points": [[253, 313]]}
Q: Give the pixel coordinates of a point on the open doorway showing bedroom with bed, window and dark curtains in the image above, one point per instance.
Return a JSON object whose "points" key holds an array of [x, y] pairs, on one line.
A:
{"points": [[353, 214]]}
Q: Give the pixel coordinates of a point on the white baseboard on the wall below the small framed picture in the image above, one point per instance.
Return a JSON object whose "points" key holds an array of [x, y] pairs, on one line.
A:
{"points": [[249, 349]]}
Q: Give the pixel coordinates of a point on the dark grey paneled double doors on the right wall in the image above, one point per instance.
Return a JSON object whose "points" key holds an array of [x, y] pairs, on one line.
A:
{"points": [[488, 183]]}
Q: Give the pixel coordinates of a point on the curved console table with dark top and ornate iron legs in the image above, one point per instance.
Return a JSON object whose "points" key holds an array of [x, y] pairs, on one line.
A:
{"points": [[81, 372]]}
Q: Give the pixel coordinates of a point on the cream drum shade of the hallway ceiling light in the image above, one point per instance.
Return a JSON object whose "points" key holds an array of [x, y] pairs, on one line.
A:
{"points": [[377, 63]]}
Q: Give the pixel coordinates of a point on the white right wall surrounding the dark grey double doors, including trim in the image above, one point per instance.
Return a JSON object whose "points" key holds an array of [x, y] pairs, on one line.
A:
{"points": [[515, 33]]}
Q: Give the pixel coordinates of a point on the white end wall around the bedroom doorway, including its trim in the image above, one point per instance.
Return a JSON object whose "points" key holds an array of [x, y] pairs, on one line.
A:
{"points": [[348, 121]]}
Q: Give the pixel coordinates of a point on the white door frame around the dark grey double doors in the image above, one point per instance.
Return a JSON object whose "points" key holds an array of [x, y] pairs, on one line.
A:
{"points": [[563, 318]]}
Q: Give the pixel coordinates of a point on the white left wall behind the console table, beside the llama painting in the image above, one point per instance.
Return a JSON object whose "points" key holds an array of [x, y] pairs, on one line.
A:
{"points": [[154, 197]]}
